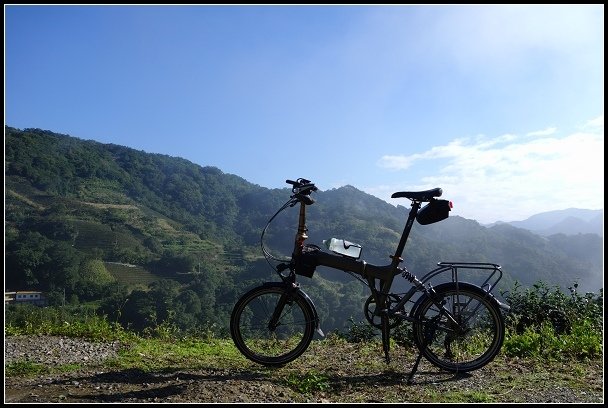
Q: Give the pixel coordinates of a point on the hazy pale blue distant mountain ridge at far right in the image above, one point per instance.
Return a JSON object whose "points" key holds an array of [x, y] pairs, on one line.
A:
{"points": [[570, 221]]}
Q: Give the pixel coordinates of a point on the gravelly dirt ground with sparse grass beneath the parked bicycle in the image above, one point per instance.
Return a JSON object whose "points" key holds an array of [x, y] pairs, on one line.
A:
{"points": [[342, 375]]}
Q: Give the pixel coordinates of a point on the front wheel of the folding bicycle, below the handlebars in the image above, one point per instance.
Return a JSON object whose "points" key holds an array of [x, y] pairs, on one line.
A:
{"points": [[262, 342]]}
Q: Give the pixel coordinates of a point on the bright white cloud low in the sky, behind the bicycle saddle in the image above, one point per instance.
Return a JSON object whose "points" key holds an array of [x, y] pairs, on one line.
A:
{"points": [[510, 178]]}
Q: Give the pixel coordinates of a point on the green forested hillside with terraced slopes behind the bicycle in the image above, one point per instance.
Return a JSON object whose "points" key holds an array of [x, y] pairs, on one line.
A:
{"points": [[149, 237]]}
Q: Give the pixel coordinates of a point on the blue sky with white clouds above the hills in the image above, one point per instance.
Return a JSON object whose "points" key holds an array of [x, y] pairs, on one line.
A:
{"points": [[501, 106]]}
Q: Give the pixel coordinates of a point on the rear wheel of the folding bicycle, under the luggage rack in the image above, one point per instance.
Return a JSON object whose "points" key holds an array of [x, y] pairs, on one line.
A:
{"points": [[475, 342]]}
